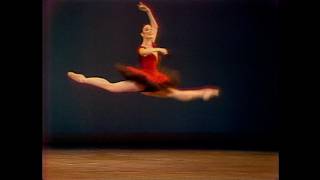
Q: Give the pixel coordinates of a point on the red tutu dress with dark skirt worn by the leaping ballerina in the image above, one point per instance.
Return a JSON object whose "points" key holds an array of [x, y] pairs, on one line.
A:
{"points": [[149, 74]]}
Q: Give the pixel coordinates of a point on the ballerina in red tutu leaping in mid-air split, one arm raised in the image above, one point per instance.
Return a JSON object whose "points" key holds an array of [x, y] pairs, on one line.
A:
{"points": [[148, 79]]}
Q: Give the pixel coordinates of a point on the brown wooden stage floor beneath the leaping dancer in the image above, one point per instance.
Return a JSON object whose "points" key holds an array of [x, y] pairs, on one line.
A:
{"points": [[115, 164]]}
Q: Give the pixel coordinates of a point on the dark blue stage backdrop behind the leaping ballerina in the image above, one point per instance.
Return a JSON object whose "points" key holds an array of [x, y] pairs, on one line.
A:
{"points": [[230, 44]]}
